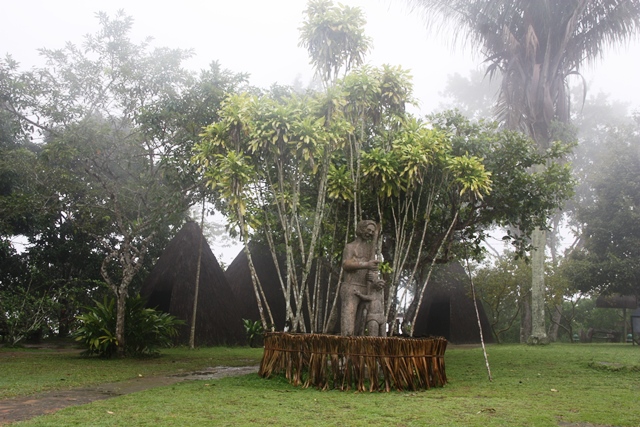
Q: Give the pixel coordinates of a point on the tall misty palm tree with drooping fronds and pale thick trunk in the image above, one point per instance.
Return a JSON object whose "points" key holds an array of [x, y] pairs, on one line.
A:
{"points": [[535, 45]]}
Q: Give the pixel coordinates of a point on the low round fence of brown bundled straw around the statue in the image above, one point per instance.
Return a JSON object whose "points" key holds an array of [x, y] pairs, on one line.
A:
{"points": [[355, 363]]}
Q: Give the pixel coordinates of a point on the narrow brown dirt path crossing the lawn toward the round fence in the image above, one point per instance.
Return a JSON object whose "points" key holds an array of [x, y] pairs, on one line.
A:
{"points": [[24, 408]]}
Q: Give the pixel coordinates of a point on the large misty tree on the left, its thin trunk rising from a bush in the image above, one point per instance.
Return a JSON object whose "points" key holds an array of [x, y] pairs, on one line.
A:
{"points": [[116, 122]]}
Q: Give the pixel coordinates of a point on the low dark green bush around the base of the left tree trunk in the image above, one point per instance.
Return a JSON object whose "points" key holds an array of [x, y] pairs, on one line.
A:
{"points": [[146, 329]]}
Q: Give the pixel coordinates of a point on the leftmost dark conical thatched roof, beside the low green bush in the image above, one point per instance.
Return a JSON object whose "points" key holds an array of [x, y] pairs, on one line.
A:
{"points": [[171, 288]]}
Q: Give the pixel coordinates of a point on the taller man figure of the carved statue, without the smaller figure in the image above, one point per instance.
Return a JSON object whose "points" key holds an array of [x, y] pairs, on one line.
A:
{"points": [[360, 267]]}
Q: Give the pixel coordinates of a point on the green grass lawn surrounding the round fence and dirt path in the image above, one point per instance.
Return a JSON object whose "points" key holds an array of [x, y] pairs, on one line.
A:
{"points": [[556, 385]]}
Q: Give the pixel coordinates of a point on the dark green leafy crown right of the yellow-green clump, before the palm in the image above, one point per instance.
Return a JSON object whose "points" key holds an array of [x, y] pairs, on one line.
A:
{"points": [[519, 198]]}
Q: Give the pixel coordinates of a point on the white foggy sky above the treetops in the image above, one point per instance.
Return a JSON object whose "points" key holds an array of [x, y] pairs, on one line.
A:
{"points": [[260, 37]]}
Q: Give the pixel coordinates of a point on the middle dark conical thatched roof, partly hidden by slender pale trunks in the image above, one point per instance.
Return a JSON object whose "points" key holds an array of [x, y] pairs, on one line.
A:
{"points": [[238, 276]]}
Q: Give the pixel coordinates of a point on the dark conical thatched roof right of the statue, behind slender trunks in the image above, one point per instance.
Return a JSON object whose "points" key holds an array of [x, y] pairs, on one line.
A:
{"points": [[448, 311]]}
